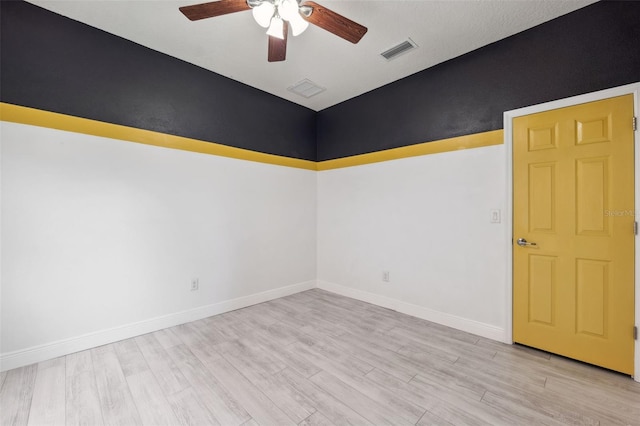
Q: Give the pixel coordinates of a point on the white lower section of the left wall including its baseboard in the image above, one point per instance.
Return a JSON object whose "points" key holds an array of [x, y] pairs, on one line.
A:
{"points": [[101, 234]]}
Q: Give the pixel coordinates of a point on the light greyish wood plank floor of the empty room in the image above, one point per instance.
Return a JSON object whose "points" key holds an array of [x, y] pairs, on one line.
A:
{"points": [[315, 358]]}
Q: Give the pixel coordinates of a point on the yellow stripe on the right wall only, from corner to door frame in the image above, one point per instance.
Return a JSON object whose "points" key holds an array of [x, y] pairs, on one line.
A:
{"points": [[476, 140]]}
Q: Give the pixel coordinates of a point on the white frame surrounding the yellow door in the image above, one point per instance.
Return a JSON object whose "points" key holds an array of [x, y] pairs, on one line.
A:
{"points": [[633, 89]]}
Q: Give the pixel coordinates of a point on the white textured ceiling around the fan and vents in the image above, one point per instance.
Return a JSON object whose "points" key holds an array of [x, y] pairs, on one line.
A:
{"points": [[235, 46]]}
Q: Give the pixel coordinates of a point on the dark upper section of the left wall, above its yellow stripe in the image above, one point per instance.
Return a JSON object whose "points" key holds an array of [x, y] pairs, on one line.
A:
{"points": [[57, 64]]}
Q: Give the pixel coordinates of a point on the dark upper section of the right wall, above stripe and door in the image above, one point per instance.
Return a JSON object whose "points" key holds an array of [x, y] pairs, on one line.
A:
{"points": [[593, 48]]}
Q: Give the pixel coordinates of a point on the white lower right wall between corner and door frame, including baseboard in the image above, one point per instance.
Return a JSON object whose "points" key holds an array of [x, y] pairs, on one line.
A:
{"points": [[426, 220]]}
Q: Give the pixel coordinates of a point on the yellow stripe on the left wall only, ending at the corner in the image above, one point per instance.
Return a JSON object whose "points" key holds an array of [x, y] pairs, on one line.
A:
{"points": [[35, 117]]}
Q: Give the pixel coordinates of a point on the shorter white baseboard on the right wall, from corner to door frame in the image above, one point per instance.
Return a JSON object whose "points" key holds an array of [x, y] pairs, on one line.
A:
{"points": [[453, 321]]}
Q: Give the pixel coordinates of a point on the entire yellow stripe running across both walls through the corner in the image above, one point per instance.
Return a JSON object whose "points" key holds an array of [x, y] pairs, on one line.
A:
{"points": [[53, 120]]}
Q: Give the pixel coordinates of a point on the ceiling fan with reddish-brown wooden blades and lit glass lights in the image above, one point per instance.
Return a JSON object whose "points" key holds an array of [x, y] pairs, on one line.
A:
{"points": [[277, 16]]}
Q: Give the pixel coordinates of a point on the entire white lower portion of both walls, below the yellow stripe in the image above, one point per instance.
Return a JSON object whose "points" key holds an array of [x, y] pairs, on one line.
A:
{"points": [[101, 238]]}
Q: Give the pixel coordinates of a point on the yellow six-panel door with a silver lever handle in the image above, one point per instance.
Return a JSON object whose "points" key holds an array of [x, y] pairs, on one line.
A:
{"points": [[573, 203]]}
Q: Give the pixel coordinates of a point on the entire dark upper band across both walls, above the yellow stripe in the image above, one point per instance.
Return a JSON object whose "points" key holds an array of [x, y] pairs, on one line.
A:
{"points": [[57, 64]]}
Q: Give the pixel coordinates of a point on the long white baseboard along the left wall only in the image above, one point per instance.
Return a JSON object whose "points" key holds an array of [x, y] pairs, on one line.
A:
{"points": [[52, 350]]}
